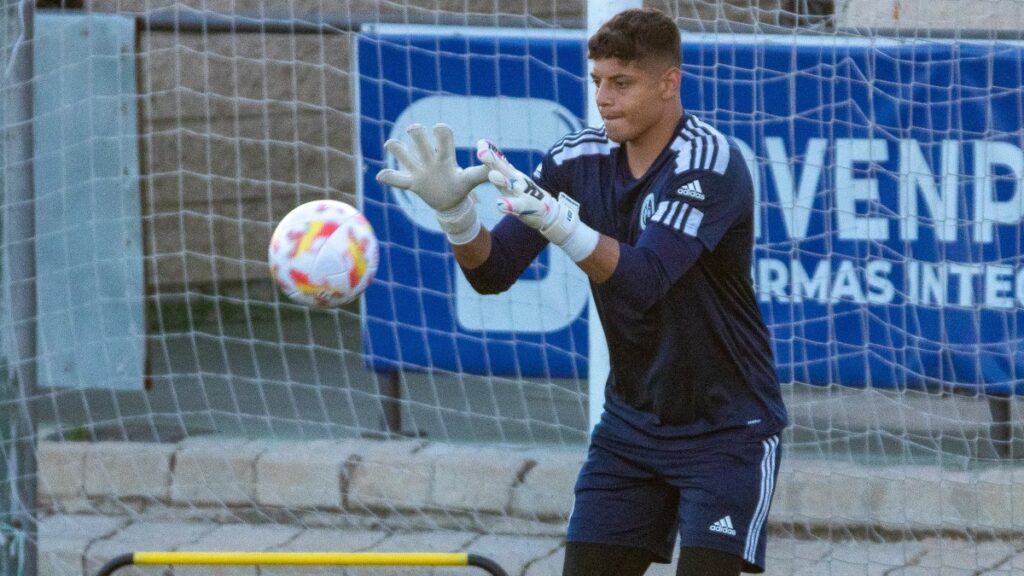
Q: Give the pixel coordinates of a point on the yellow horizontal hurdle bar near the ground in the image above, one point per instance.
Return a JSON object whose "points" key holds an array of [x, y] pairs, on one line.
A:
{"points": [[303, 559]]}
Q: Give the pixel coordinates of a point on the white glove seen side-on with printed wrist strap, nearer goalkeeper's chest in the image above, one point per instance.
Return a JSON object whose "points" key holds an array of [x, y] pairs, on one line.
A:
{"points": [[559, 220]]}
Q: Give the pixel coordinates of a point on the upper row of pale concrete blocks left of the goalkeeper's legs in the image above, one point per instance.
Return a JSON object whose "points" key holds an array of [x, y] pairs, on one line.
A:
{"points": [[345, 478]]}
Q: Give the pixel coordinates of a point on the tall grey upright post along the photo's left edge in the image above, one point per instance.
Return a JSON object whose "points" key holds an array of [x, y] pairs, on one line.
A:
{"points": [[19, 520]]}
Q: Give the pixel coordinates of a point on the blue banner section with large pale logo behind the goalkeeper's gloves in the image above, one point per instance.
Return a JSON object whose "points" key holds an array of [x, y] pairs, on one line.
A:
{"points": [[525, 92]]}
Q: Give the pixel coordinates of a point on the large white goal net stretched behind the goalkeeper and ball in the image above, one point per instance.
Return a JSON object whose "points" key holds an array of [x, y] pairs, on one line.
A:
{"points": [[162, 394]]}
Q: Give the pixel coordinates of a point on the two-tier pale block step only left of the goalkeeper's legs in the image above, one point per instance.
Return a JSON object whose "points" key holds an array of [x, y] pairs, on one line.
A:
{"points": [[107, 499]]}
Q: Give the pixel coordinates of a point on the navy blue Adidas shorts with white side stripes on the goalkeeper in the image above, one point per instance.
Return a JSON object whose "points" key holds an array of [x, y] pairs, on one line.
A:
{"points": [[716, 489]]}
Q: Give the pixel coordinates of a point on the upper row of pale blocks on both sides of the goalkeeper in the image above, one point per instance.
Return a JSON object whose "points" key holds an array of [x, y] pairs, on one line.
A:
{"points": [[473, 487]]}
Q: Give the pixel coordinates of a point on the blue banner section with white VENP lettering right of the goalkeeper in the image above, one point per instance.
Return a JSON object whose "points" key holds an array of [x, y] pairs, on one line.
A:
{"points": [[889, 232]]}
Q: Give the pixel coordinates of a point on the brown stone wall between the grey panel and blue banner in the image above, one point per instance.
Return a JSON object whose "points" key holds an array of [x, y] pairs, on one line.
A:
{"points": [[237, 131]]}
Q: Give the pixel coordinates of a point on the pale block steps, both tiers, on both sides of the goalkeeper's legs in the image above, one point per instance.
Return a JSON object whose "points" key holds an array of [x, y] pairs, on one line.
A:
{"points": [[102, 500]]}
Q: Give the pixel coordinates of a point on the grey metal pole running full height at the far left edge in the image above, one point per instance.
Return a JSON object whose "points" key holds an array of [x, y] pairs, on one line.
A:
{"points": [[19, 267]]}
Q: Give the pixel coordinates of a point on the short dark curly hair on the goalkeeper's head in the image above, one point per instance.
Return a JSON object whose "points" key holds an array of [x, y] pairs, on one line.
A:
{"points": [[638, 35]]}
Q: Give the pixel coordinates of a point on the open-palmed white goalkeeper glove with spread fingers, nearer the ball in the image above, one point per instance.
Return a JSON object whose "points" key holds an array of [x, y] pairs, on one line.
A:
{"points": [[434, 175]]}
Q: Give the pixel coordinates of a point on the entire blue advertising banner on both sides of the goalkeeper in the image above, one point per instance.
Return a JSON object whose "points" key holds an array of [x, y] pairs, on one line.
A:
{"points": [[889, 229]]}
